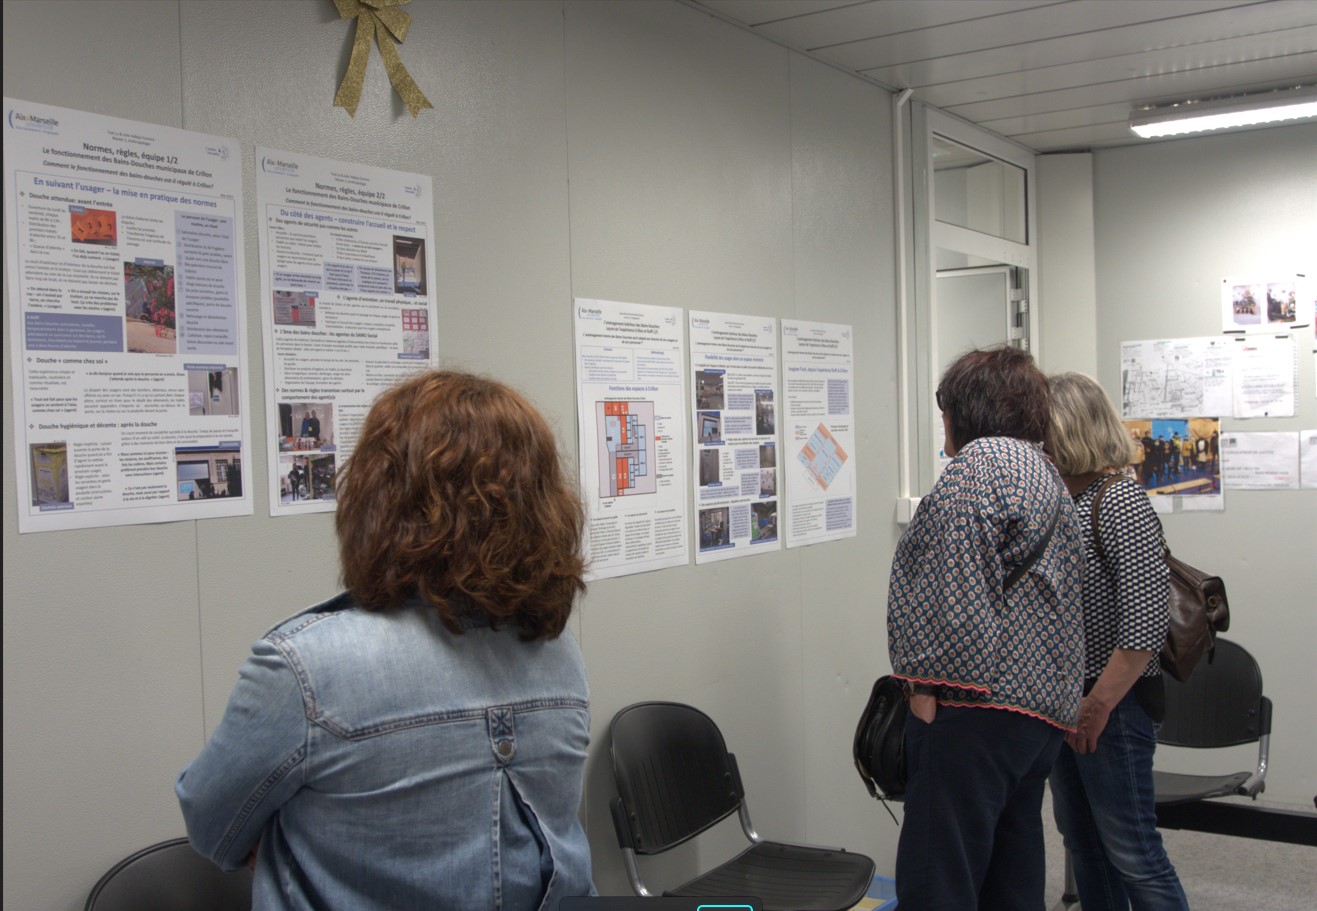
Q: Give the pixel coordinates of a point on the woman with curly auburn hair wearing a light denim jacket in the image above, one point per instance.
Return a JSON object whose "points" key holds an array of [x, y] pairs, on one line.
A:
{"points": [[419, 741]]}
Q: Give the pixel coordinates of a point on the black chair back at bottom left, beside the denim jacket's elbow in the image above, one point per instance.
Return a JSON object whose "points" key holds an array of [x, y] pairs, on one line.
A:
{"points": [[171, 877]]}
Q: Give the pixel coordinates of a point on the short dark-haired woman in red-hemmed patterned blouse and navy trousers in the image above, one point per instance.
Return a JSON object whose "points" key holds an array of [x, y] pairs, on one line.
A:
{"points": [[992, 668]]}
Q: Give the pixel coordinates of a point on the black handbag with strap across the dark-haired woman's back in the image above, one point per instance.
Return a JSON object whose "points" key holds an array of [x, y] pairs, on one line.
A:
{"points": [[879, 746]]}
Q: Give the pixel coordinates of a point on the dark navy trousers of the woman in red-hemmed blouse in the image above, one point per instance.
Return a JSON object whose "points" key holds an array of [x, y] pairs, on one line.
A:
{"points": [[973, 835]]}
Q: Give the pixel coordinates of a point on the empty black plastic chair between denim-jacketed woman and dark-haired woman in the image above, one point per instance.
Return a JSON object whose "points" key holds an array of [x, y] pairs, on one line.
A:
{"points": [[678, 780]]}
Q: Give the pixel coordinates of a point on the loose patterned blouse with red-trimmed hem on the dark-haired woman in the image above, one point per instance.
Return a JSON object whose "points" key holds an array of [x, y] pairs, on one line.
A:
{"points": [[949, 622]]}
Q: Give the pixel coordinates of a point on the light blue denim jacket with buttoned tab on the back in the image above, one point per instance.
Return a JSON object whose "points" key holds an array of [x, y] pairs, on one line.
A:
{"points": [[385, 764]]}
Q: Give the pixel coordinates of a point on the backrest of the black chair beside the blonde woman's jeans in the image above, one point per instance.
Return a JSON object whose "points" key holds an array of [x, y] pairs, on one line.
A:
{"points": [[1220, 706]]}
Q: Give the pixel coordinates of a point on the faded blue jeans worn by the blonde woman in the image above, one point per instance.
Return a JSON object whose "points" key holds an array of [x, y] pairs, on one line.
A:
{"points": [[1104, 808]]}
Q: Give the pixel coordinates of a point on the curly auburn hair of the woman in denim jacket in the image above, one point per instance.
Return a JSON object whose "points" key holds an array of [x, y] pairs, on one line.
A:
{"points": [[455, 494]]}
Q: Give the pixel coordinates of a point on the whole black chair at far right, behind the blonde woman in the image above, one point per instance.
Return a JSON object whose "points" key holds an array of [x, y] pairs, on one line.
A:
{"points": [[1220, 706]]}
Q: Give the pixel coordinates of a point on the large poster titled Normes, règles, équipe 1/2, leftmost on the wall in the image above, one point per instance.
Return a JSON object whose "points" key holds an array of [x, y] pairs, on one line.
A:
{"points": [[127, 321]]}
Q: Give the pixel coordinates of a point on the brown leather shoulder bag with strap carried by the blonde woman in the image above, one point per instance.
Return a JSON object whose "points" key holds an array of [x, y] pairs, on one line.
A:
{"points": [[1198, 608]]}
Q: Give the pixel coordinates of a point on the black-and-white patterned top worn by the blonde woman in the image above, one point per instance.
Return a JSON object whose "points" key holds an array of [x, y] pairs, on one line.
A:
{"points": [[1127, 592]]}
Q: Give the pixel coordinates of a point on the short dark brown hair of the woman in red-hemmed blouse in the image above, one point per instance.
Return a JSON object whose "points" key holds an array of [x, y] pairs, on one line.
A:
{"points": [[995, 393]]}
